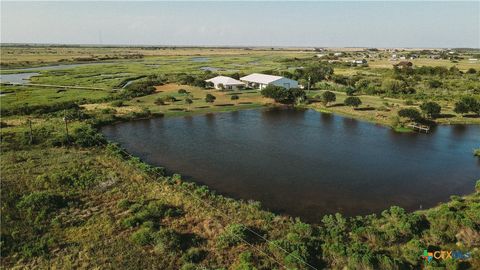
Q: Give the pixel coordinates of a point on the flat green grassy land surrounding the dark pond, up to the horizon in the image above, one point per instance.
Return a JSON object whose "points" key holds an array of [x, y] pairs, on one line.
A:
{"points": [[70, 199]]}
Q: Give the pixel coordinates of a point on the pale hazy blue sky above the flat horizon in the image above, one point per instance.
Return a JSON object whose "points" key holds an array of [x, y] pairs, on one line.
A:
{"points": [[277, 24]]}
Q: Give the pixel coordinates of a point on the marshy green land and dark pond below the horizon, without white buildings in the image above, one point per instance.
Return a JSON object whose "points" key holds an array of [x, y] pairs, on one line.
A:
{"points": [[73, 198]]}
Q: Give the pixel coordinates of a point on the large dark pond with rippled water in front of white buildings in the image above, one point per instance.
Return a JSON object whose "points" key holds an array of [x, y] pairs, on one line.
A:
{"points": [[307, 164]]}
